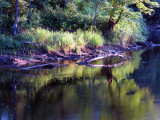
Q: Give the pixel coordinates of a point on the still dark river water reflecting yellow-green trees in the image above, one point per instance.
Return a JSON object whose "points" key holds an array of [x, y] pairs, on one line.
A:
{"points": [[128, 92]]}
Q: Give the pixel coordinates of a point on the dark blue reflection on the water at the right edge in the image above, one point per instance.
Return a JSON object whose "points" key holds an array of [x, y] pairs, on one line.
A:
{"points": [[148, 75]]}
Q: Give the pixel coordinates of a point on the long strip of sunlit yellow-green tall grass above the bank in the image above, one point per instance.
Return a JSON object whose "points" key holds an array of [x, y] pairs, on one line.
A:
{"points": [[66, 41]]}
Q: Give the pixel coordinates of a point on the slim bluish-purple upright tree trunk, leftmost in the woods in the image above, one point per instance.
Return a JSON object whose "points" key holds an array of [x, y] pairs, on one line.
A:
{"points": [[16, 18]]}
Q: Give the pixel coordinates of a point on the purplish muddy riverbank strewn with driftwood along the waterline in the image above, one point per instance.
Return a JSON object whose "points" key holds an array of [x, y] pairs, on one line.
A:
{"points": [[54, 59]]}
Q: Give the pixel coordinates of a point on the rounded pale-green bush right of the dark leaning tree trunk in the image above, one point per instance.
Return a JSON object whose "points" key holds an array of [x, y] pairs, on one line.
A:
{"points": [[129, 31]]}
